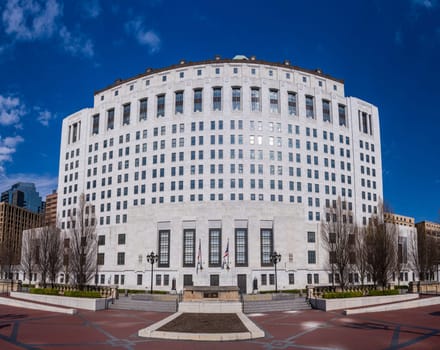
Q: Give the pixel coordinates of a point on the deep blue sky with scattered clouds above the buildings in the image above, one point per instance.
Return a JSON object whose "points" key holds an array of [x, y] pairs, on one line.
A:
{"points": [[54, 54]]}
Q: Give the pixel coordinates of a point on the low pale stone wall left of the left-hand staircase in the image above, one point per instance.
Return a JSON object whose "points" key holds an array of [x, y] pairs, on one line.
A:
{"points": [[77, 303]]}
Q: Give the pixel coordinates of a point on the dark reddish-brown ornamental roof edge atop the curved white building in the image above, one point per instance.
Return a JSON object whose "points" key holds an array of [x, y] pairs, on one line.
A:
{"points": [[218, 60]]}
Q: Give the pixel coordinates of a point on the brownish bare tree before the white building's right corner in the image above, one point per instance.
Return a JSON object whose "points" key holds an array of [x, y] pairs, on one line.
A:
{"points": [[381, 245]]}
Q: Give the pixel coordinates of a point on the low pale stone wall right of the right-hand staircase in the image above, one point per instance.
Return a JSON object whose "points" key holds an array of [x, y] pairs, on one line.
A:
{"points": [[346, 303]]}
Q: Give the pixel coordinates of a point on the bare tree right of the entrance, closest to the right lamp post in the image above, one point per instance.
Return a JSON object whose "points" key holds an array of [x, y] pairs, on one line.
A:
{"points": [[337, 233]]}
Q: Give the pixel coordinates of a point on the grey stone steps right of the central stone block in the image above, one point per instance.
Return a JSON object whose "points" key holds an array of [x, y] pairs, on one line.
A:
{"points": [[253, 306]]}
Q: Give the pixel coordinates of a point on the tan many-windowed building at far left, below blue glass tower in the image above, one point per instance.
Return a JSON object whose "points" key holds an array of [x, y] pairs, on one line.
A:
{"points": [[13, 220]]}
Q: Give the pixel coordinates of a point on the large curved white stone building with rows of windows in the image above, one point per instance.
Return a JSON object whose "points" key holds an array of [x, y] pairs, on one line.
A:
{"points": [[213, 165]]}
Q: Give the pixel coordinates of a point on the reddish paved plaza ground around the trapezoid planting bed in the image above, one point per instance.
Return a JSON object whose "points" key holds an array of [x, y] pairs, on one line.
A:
{"points": [[117, 329]]}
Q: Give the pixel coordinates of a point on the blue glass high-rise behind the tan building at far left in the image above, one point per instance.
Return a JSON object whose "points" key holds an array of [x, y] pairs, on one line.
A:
{"points": [[24, 195]]}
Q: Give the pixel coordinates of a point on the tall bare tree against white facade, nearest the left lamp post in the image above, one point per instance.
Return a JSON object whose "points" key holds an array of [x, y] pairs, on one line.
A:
{"points": [[82, 244]]}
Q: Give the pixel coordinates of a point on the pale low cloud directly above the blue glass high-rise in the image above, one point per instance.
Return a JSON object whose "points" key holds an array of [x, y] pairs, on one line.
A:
{"points": [[45, 183]]}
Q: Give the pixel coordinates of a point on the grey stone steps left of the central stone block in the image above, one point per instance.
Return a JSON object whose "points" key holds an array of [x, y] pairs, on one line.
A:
{"points": [[127, 303]]}
